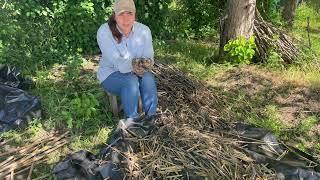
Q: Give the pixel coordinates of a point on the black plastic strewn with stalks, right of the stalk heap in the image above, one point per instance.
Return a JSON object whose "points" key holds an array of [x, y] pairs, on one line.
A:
{"points": [[288, 162]]}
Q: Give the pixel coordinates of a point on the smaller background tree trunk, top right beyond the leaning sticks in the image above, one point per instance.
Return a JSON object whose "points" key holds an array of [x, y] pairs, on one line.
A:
{"points": [[289, 11]]}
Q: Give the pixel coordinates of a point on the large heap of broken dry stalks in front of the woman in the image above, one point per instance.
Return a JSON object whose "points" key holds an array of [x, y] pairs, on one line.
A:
{"points": [[188, 144]]}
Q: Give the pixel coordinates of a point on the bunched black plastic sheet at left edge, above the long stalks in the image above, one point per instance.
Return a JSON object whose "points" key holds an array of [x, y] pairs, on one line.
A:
{"points": [[17, 107]]}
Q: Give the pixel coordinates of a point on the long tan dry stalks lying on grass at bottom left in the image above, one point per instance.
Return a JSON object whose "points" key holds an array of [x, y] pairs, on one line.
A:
{"points": [[19, 162]]}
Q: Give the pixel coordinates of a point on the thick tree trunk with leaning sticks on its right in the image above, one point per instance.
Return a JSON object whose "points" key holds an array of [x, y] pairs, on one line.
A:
{"points": [[238, 21]]}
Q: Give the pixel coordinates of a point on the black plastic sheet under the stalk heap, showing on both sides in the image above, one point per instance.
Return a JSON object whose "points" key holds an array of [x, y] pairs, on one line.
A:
{"points": [[287, 162]]}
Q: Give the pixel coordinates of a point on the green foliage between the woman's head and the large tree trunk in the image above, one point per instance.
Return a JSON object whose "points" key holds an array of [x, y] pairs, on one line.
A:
{"points": [[171, 19]]}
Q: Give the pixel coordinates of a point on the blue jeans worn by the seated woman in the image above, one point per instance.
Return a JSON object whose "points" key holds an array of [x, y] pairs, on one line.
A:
{"points": [[129, 87]]}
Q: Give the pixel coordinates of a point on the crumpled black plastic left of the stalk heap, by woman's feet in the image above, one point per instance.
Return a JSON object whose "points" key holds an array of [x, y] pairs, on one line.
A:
{"points": [[109, 163]]}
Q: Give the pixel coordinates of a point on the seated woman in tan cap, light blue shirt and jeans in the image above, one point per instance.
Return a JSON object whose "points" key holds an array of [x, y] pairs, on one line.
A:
{"points": [[121, 40]]}
